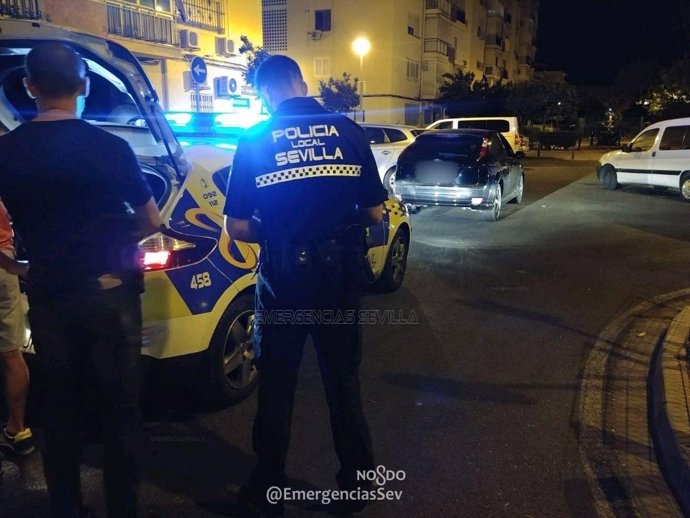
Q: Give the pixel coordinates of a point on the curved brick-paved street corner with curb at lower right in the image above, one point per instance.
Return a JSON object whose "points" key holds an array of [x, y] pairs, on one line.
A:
{"points": [[633, 411]]}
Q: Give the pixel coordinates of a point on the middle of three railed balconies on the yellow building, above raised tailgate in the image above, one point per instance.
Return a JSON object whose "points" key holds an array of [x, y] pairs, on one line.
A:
{"points": [[141, 23]]}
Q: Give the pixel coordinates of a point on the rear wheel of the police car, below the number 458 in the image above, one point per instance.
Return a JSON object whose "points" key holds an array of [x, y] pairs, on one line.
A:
{"points": [[230, 374]]}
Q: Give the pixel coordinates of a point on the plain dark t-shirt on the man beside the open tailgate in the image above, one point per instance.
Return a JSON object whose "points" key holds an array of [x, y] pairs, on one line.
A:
{"points": [[66, 185]]}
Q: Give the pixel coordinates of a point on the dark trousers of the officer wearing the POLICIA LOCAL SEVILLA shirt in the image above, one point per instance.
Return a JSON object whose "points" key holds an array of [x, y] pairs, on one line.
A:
{"points": [[280, 346]]}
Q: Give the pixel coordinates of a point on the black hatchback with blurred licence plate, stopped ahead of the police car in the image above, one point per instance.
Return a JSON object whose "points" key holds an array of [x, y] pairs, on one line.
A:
{"points": [[472, 169]]}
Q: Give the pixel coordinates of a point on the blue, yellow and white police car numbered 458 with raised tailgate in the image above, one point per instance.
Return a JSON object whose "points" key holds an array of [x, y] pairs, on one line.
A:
{"points": [[198, 304]]}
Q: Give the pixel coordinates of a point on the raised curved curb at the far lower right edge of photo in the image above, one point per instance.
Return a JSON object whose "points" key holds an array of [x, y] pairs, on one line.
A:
{"points": [[669, 413]]}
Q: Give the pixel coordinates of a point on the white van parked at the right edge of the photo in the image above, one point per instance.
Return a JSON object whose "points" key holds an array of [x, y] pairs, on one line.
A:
{"points": [[658, 156]]}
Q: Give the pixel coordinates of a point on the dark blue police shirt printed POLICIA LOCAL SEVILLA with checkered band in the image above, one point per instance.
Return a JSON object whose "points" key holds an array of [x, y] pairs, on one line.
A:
{"points": [[305, 171]]}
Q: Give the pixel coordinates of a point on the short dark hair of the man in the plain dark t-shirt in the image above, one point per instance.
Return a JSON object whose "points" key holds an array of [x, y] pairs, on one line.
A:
{"points": [[55, 69]]}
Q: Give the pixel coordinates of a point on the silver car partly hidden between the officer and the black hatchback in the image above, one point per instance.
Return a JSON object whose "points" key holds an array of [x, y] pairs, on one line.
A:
{"points": [[387, 142]]}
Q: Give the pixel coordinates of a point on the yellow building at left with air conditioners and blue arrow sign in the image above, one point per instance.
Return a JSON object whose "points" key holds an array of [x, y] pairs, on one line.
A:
{"points": [[166, 35]]}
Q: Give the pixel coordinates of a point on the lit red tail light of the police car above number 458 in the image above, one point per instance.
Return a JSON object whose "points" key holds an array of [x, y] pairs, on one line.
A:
{"points": [[165, 249]]}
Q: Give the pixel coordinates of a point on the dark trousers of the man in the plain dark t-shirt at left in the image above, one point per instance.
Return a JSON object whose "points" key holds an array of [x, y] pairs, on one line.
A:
{"points": [[89, 344]]}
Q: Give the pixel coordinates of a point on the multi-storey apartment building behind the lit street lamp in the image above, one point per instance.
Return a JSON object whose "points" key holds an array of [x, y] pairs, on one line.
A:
{"points": [[412, 44]]}
